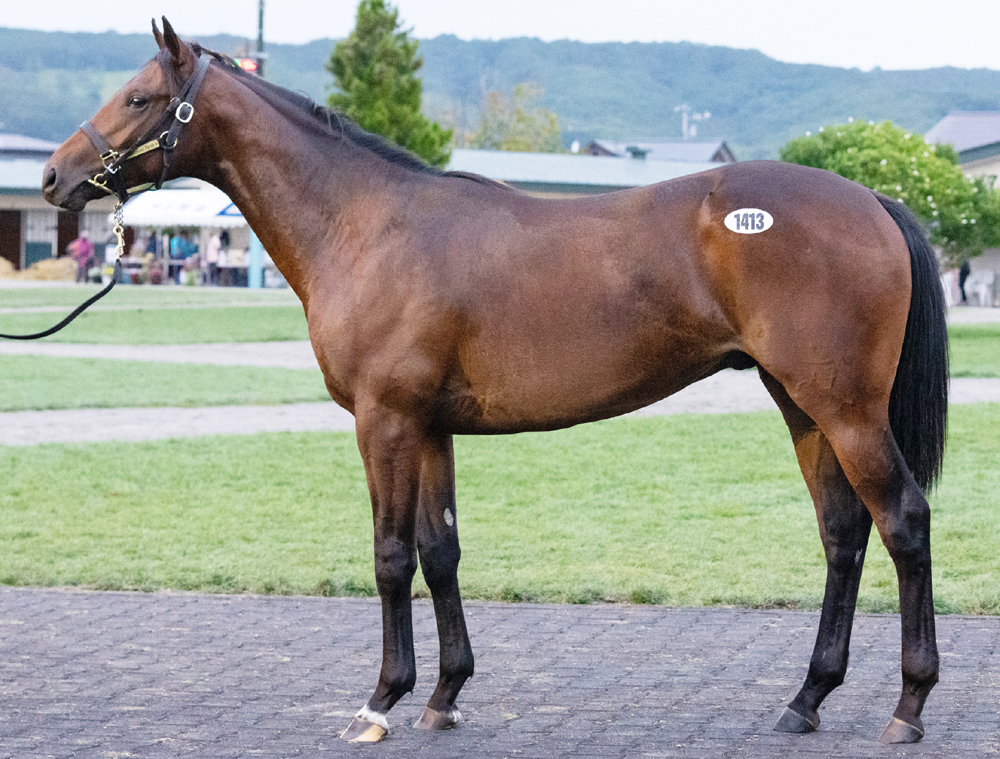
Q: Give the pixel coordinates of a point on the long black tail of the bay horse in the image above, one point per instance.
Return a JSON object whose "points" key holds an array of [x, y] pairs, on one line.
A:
{"points": [[918, 406]]}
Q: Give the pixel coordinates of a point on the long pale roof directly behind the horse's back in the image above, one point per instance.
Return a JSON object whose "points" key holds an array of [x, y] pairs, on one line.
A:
{"points": [[562, 172]]}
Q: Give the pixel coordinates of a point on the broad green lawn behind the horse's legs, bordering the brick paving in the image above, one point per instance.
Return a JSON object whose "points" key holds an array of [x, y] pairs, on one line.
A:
{"points": [[687, 510]]}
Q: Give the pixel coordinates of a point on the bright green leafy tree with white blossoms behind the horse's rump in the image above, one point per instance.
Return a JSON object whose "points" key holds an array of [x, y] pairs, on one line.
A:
{"points": [[961, 214]]}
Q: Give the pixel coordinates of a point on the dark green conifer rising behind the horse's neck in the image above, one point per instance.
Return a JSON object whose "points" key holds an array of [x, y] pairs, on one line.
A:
{"points": [[375, 72]]}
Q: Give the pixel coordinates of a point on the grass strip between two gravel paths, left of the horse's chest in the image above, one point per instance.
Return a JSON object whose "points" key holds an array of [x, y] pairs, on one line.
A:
{"points": [[41, 383]]}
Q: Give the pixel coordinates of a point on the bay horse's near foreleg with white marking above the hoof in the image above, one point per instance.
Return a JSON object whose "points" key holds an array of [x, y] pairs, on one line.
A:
{"points": [[391, 447]]}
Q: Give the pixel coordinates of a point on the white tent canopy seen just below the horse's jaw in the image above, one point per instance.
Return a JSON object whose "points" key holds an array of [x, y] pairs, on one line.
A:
{"points": [[204, 207]]}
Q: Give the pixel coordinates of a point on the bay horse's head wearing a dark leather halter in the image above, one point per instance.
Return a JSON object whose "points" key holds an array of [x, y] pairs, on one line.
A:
{"points": [[115, 150]]}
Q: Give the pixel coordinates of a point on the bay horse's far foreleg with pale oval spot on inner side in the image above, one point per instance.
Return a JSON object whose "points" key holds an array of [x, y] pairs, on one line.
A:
{"points": [[437, 543]]}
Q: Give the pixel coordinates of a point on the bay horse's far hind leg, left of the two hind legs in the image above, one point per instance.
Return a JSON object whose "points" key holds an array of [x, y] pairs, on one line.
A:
{"points": [[844, 526]]}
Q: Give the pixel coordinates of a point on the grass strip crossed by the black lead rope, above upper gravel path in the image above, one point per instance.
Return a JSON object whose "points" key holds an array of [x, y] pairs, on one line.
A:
{"points": [[166, 326]]}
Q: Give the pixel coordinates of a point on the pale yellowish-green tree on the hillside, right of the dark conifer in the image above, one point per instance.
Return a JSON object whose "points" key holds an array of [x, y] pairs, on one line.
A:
{"points": [[514, 121]]}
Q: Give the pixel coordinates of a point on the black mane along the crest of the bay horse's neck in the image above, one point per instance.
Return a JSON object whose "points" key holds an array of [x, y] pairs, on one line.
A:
{"points": [[336, 123]]}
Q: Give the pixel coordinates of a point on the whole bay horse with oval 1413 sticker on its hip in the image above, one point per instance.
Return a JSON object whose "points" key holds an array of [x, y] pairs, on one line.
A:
{"points": [[443, 303]]}
